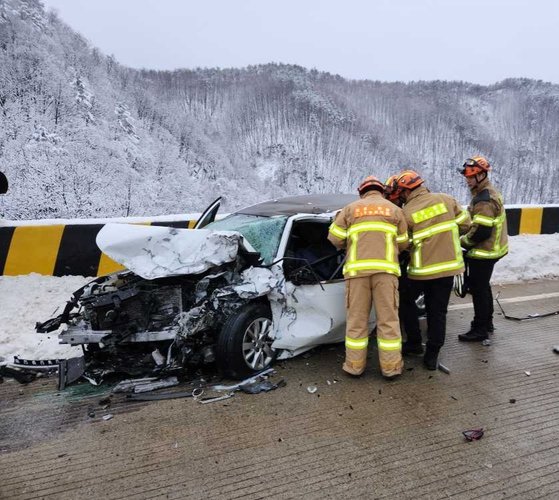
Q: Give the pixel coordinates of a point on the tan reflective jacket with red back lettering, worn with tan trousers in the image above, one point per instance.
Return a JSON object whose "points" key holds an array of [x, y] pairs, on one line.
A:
{"points": [[373, 230]]}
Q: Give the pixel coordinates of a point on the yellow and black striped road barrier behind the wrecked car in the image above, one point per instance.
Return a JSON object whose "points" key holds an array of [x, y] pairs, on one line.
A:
{"points": [[70, 249]]}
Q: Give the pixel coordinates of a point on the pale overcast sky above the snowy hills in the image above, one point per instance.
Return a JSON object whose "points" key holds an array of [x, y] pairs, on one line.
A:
{"points": [[481, 41]]}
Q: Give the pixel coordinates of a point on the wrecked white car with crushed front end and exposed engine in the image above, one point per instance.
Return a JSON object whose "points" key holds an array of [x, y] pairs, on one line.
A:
{"points": [[261, 284]]}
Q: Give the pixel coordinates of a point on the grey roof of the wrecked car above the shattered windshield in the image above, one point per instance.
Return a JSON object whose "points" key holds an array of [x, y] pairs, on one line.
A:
{"points": [[303, 204]]}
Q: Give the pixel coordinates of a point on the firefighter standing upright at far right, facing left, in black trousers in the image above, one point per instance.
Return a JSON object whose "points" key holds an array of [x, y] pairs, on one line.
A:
{"points": [[486, 242]]}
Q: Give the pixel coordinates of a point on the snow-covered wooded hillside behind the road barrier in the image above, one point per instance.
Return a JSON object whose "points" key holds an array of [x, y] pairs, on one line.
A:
{"points": [[83, 136]]}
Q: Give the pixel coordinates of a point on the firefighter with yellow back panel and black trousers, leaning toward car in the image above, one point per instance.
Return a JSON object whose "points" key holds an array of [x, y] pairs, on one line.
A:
{"points": [[435, 221]]}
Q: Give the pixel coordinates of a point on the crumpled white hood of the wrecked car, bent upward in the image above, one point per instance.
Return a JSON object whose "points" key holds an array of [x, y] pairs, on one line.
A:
{"points": [[157, 252]]}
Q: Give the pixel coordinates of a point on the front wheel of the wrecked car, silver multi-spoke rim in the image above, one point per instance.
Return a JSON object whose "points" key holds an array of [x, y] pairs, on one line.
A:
{"points": [[244, 346]]}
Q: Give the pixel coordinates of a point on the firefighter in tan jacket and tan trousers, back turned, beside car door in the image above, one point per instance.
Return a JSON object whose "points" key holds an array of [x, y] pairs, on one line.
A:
{"points": [[373, 231]]}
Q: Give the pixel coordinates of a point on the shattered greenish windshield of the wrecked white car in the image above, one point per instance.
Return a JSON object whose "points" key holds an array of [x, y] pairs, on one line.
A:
{"points": [[263, 233]]}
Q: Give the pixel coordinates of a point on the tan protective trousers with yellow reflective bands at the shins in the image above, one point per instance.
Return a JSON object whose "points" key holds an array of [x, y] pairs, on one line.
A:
{"points": [[380, 290]]}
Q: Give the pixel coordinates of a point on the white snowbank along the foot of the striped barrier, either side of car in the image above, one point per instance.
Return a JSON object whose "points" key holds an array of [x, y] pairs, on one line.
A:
{"points": [[28, 299]]}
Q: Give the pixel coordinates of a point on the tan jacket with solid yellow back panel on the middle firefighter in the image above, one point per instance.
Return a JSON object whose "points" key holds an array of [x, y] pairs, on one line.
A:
{"points": [[435, 221]]}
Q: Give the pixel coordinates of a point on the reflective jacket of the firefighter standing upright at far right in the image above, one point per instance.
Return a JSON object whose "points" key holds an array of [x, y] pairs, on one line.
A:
{"points": [[488, 236]]}
